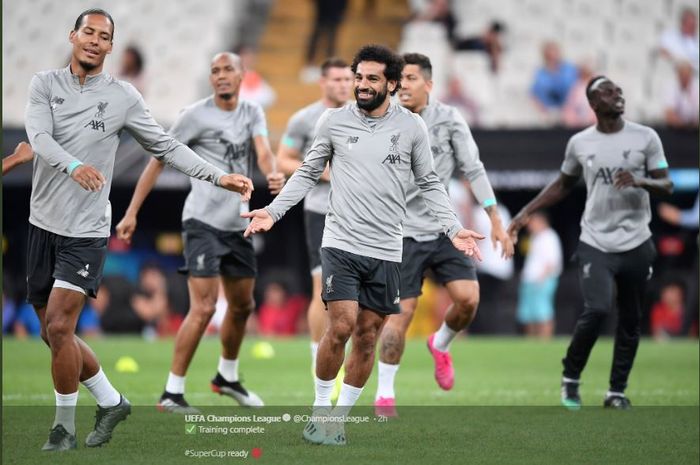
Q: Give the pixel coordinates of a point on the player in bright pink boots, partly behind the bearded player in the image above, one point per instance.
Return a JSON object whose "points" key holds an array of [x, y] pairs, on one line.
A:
{"points": [[425, 246]]}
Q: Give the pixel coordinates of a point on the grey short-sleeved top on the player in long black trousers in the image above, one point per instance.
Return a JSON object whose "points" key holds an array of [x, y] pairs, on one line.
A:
{"points": [[615, 220]]}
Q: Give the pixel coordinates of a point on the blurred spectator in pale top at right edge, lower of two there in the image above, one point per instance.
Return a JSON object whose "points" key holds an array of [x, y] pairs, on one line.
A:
{"points": [[682, 109]]}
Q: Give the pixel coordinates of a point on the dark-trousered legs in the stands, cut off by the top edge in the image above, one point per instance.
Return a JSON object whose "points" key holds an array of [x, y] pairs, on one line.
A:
{"points": [[329, 15]]}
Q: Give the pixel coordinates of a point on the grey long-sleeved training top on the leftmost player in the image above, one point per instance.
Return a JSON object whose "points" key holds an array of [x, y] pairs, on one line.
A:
{"points": [[69, 124]]}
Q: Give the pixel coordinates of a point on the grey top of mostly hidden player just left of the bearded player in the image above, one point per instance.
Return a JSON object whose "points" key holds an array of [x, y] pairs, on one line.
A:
{"points": [[299, 135]]}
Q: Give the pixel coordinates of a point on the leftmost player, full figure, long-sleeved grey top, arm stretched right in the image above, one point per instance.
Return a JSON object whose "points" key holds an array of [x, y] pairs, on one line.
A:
{"points": [[73, 119]]}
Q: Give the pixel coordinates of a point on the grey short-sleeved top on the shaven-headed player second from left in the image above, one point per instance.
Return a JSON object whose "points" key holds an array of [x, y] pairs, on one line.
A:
{"points": [[224, 139]]}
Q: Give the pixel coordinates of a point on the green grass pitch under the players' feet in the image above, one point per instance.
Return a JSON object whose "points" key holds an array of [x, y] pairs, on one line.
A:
{"points": [[503, 409]]}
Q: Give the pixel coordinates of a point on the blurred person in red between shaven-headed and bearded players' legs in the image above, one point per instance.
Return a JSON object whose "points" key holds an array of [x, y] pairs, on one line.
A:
{"points": [[280, 315]]}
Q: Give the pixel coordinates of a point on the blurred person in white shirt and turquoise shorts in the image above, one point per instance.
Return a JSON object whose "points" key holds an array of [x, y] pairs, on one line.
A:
{"points": [[539, 279]]}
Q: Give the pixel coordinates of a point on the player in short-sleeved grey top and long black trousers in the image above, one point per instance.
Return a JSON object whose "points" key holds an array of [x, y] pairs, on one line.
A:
{"points": [[622, 163]]}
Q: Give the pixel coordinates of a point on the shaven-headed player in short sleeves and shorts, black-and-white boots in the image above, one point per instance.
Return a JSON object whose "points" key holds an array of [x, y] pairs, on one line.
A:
{"points": [[224, 130]]}
